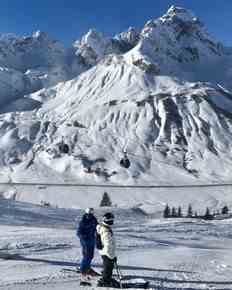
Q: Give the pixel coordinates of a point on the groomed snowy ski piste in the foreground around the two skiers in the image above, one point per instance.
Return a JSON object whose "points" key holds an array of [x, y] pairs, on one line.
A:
{"points": [[171, 254]]}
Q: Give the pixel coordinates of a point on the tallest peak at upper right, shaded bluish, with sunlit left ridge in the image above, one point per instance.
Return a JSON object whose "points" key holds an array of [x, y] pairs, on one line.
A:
{"points": [[179, 45]]}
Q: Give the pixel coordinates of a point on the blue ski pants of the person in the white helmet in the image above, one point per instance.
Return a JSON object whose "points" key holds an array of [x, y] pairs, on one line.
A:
{"points": [[87, 255]]}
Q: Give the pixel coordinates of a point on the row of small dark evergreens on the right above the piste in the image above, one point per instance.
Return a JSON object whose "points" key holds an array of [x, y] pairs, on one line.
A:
{"points": [[172, 212]]}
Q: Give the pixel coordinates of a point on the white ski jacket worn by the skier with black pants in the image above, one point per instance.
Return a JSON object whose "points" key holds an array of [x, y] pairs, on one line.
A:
{"points": [[108, 241]]}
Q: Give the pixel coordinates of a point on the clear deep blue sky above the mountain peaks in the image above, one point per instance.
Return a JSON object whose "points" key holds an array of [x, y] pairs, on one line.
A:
{"points": [[67, 20]]}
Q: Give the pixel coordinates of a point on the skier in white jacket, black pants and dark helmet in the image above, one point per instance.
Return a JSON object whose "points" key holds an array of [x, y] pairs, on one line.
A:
{"points": [[108, 251]]}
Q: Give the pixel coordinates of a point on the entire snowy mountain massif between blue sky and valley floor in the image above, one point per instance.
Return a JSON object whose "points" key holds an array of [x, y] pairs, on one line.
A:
{"points": [[163, 95]]}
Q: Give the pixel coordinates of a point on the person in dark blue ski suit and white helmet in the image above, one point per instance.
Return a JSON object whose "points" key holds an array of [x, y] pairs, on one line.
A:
{"points": [[86, 232]]}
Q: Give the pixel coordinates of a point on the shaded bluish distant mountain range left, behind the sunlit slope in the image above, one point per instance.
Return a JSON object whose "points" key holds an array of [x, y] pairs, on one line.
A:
{"points": [[31, 63]]}
